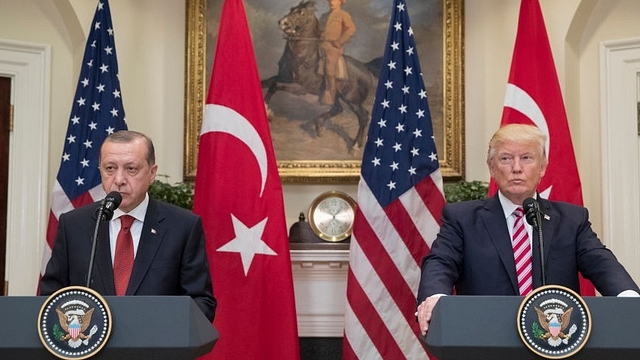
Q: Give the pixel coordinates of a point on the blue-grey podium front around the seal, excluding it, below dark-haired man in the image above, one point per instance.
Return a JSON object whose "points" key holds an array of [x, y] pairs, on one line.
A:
{"points": [[144, 327]]}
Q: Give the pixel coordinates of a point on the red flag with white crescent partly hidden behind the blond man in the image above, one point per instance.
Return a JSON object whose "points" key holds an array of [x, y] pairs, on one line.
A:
{"points": [[533, 96]]}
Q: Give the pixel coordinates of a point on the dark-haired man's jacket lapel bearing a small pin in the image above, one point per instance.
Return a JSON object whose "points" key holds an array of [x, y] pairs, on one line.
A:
{"points": [[150, 240]]}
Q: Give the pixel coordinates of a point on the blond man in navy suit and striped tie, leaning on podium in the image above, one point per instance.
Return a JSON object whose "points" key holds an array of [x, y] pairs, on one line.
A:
{"points": [[474, 252]]}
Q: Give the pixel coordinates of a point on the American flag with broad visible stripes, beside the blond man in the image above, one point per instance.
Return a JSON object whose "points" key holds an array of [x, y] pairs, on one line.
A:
{"points": [[400, 200]]}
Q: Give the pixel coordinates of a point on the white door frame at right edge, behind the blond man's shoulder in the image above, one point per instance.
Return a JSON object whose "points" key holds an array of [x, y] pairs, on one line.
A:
{"points": [[619, 69]]}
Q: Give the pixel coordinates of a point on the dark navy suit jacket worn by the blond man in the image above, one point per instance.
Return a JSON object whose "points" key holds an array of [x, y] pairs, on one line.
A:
{"points": [[473, 252]]}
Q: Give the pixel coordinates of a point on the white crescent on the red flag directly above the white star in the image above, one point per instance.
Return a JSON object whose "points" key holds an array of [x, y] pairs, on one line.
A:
{"points": [[218, 118]]}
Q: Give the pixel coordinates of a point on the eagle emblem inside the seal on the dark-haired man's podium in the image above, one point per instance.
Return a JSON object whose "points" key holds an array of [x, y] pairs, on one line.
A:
{"points": [[75, 322]]}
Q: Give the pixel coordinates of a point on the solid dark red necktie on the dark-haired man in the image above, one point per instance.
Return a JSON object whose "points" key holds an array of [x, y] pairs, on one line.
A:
{"points": [[123, 260]]}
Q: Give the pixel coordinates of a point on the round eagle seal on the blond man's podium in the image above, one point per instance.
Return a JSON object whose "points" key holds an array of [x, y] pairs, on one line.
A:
{"points": [[554, 322]]}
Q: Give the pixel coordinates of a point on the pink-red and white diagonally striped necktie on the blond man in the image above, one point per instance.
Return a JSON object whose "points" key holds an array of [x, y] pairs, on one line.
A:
{"points": [[522, 253]]}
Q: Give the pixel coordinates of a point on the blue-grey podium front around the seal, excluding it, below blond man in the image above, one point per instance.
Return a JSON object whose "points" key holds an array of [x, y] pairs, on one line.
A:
{"points": [[484, 327]]}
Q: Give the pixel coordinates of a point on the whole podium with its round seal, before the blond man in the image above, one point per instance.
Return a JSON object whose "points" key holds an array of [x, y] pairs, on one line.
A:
{"points": [[552, 322]]}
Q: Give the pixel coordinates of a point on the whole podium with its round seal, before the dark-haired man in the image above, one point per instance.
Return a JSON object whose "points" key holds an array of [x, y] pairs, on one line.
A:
{"points": [[78, 323]]}
